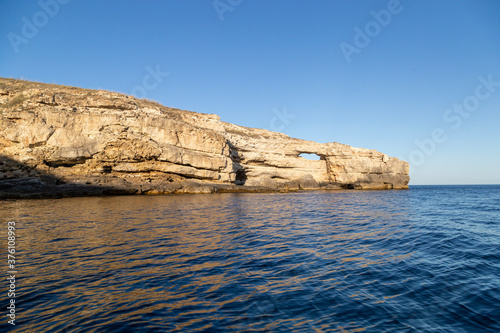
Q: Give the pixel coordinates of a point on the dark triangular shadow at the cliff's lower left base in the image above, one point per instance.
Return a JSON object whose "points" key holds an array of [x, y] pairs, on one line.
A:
{"points": [[20, 181]]}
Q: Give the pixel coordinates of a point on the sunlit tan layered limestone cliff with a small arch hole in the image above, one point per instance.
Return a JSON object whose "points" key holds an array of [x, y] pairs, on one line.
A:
{"points": [[109, 140]]}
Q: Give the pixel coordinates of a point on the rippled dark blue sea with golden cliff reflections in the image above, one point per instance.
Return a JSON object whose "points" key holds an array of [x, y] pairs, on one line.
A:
{"points": [[425, 259]]}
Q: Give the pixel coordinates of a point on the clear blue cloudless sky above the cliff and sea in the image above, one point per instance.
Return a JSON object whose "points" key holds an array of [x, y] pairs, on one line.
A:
{"points": [[418, 80]]}
